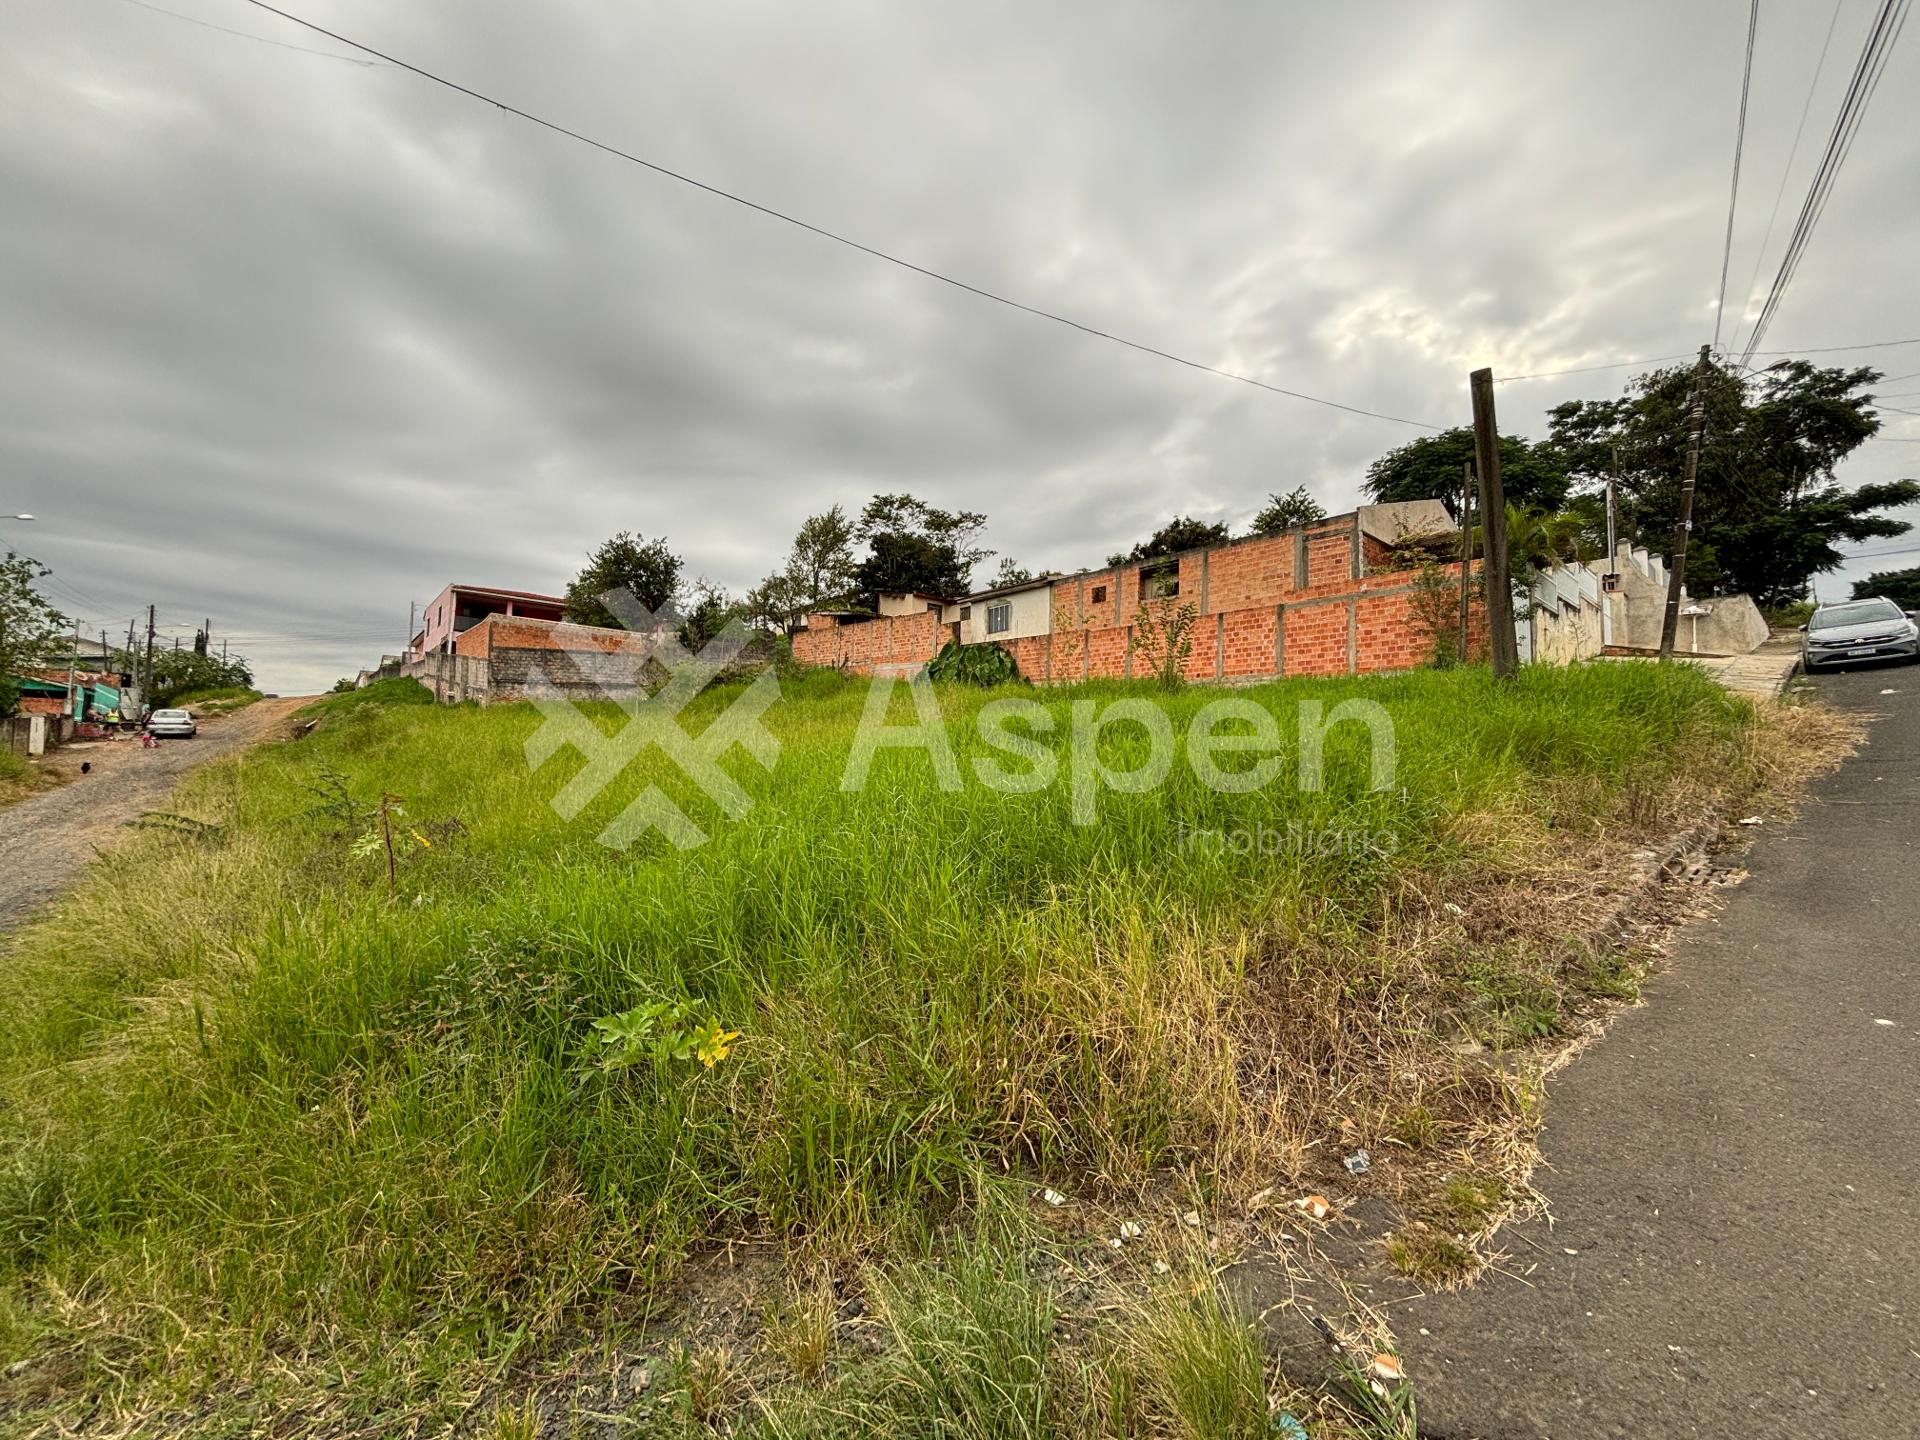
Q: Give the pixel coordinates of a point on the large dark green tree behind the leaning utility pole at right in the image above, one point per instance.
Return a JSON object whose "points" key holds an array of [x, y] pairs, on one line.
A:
{"points": [[1767, 512]]}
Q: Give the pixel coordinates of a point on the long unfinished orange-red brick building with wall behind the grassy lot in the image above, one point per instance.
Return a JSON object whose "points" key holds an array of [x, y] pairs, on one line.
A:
{"points": [[1328, 598]]}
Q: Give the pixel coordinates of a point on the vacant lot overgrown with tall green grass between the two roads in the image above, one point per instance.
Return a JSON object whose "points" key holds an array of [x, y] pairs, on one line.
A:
{"points": [[270, 1116]]}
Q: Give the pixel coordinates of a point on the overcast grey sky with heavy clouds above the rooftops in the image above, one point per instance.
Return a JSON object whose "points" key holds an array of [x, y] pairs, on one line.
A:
{"points": [[291, 343]]}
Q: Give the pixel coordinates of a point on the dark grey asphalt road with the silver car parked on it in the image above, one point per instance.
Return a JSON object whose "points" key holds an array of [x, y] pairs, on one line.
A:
{"points": [[1737, 1166]]}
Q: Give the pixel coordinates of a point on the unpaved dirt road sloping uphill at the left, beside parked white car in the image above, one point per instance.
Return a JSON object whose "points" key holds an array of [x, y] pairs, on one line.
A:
{"points": [[49, 838]]}
